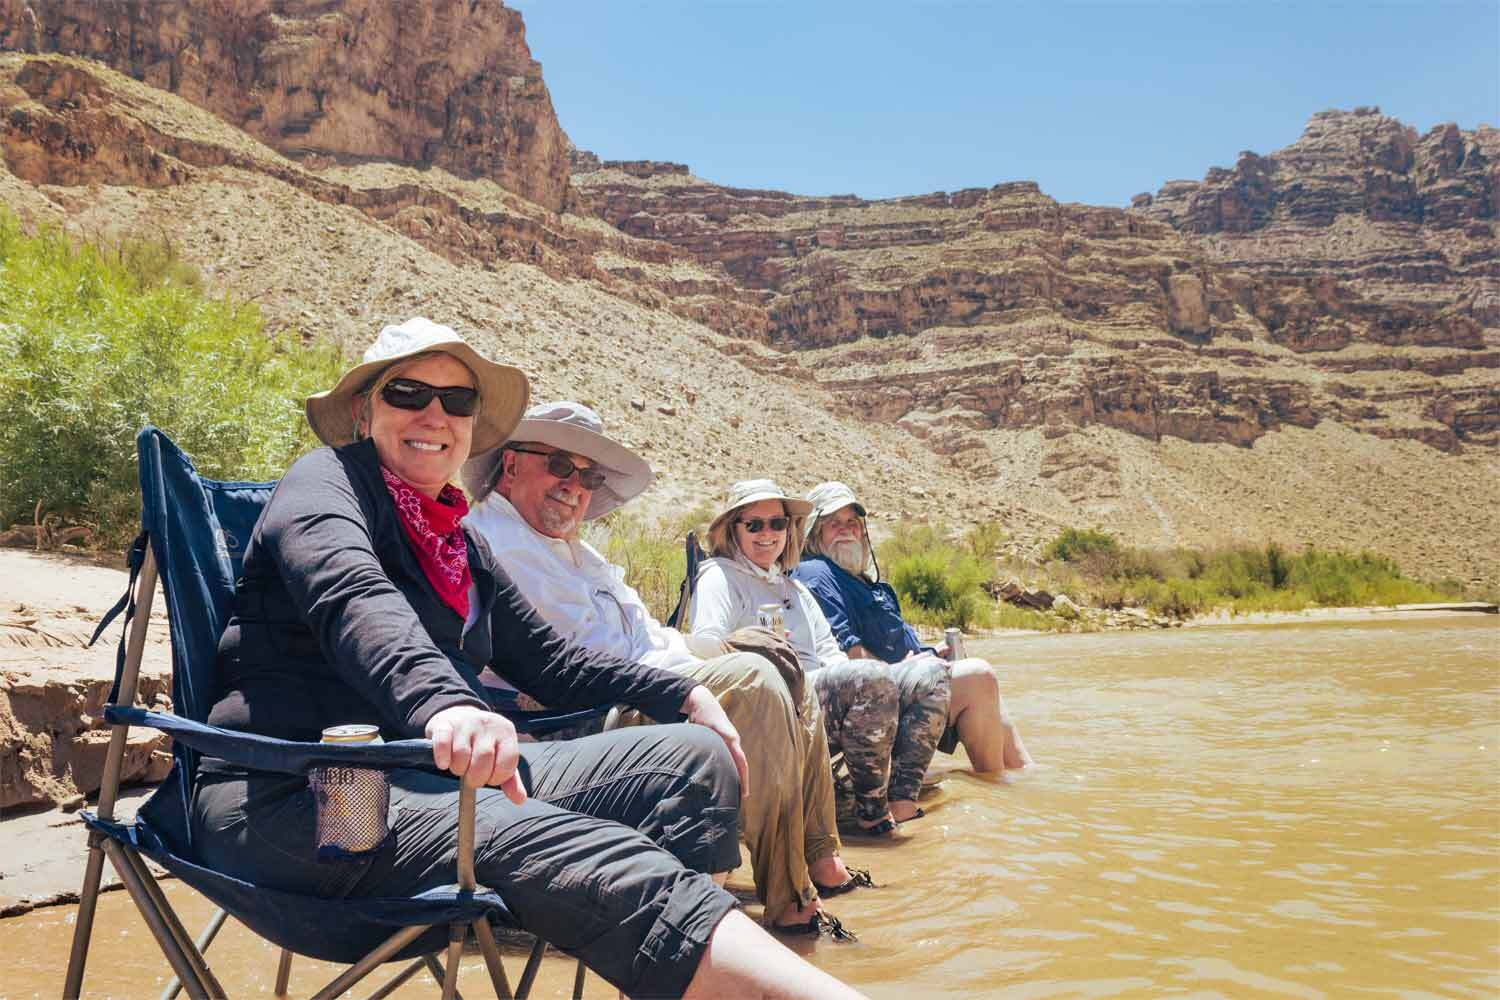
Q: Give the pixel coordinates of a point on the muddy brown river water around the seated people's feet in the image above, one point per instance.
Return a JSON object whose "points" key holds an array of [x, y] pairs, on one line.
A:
{"points": [[1246, 812]]}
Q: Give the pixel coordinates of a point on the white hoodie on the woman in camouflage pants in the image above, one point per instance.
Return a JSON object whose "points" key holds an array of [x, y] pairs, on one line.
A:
{"points": [[730, 591]]}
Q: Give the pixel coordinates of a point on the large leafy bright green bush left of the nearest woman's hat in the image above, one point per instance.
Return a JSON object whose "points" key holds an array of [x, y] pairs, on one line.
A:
{"points": [[101, 341]]}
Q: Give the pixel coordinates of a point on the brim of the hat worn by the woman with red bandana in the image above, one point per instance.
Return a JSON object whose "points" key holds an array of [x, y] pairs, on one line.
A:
{"points": [[503, 392]]}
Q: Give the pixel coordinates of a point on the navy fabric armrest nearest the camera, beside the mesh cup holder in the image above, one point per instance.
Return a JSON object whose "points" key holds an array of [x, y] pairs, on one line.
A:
{"points": [[266, 753]]}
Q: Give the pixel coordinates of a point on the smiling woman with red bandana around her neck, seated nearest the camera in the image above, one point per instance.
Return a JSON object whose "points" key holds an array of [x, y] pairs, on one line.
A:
{"points": [[365, 600]]}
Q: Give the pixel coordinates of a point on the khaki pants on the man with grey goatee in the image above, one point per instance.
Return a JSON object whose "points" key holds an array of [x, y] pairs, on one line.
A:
{"points": [[788, 819]]}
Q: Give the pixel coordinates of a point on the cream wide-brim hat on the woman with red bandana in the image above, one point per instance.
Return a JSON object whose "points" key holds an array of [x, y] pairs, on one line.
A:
{"points": [[503, 389]]}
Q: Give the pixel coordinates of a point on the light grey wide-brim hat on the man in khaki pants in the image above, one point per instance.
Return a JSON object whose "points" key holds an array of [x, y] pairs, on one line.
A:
{"points": [[574, 428]]}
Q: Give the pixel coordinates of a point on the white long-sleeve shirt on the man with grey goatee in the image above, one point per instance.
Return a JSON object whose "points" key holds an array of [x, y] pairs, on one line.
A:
{"points": [[577, 590]]}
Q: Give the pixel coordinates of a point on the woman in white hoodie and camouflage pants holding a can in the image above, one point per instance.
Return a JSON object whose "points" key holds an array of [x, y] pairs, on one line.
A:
{"points": [[887, 719]]}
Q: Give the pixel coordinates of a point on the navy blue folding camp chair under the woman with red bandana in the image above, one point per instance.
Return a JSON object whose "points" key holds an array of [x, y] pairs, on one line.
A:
{"points": [[193, 537]]}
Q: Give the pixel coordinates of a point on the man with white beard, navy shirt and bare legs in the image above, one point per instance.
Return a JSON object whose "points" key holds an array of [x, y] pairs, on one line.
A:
{"points": [[866, 618]]}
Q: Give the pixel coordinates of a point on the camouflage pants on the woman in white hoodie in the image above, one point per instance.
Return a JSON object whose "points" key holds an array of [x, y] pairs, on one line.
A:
{"points": [[887, 719]]}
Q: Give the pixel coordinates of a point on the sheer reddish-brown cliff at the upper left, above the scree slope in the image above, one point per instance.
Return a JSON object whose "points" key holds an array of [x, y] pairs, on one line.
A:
{"points": [[448, 83]]}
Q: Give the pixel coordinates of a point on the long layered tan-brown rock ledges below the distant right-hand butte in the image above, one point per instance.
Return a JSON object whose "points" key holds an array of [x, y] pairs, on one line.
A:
{"points": [[956, 314]]}
